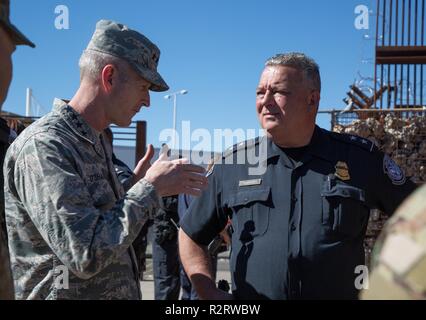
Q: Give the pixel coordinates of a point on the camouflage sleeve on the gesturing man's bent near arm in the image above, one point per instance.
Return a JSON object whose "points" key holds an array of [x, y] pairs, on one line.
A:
{"points": [[65, 213]]}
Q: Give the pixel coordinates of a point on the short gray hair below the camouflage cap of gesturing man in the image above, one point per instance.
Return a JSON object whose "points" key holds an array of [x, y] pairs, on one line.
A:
{"points": [[92, 62]]}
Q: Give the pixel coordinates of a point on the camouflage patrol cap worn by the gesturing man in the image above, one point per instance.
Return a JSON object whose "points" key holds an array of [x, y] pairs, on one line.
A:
{"points": [[118, 40]]}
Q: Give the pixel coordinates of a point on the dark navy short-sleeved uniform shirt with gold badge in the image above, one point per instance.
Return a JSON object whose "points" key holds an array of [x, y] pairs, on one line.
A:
{"points": [[299, 227]]}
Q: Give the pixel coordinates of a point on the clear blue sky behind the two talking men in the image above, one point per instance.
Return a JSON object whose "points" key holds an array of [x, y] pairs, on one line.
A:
{"points": [[215, 49]]}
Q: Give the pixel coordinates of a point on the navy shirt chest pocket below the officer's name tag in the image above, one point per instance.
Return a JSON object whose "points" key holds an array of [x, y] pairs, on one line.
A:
{"points": [[250, 210]]}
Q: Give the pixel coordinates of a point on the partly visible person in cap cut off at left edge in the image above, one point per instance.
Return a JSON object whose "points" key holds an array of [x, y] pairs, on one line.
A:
{"points": [[10, 36]]}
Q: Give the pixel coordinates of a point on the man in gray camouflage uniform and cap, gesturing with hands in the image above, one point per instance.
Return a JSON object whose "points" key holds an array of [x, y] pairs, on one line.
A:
{"points": [[70, 223]]}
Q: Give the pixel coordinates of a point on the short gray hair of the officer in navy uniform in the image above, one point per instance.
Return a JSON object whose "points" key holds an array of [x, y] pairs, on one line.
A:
{"points": [[300, 62]]}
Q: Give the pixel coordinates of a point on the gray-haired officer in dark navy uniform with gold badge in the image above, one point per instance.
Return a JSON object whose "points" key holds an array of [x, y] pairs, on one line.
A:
{"points": [[299, 226]]}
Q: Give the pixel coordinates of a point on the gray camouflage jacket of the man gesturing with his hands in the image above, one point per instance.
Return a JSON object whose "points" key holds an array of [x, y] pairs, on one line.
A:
{"points": [[67, 215]]}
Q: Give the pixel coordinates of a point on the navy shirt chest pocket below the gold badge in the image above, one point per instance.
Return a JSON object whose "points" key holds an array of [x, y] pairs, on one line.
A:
{"points": [[343, 208]]}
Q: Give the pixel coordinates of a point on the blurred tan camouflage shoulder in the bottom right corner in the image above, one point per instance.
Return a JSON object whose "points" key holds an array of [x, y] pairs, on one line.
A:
{"points": [[400, 254]]}
